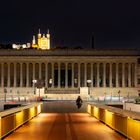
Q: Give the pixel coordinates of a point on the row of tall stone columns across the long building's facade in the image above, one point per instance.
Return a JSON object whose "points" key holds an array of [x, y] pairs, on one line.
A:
{"points": [[72, 76]]}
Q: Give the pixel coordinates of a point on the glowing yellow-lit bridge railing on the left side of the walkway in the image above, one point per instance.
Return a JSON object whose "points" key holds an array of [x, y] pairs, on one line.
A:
{"points": [[13, 118]]}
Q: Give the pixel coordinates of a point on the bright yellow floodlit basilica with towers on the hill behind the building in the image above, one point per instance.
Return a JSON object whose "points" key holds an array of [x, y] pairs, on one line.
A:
{"points": [[43, 41]]}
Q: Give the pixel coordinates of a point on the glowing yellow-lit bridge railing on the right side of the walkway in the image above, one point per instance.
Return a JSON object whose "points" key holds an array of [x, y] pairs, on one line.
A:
{"points": [[123, 121]]}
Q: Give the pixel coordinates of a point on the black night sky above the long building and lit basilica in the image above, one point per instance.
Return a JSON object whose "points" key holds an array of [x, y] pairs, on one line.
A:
{"points": [[116, 24]]}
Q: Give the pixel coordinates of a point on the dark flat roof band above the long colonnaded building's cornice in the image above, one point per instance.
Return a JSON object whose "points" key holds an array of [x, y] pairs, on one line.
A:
{"points": [[70, 52]]}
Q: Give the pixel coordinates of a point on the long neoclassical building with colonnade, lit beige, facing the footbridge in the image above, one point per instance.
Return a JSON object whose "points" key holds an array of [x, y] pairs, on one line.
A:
{"points": [[67, 73]]}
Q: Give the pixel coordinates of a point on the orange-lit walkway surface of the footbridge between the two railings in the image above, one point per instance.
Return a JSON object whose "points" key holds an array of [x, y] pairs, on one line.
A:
{"points": [[64, 126]]}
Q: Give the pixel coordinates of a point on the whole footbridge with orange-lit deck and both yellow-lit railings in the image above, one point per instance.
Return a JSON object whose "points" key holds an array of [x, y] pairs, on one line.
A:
{"points": [[54, 120]]}
